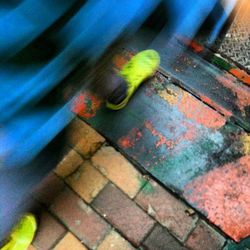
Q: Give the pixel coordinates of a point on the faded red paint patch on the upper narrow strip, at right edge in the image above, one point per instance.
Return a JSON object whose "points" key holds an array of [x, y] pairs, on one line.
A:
{"points": [[241, 92]]}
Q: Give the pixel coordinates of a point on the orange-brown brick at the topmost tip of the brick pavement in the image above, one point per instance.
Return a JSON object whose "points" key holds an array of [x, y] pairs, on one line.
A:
{"points": [[84, 139]]}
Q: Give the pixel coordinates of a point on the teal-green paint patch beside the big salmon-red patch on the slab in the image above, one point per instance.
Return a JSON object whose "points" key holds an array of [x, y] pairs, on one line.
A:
{"points": [[189, 161]]}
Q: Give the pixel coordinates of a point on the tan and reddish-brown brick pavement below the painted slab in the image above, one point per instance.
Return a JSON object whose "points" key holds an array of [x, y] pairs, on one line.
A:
{"points": [[96, 199]]}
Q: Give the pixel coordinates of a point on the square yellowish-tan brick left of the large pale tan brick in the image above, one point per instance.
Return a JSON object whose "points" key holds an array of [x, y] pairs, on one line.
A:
{"points": [[87, 181]]}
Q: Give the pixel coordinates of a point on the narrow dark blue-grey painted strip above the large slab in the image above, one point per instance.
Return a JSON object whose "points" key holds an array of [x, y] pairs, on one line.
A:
{"points": [[199, 77]]}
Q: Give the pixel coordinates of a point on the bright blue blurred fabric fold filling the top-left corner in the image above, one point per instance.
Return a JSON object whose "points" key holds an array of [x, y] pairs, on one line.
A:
{"points": [[20, 26]]}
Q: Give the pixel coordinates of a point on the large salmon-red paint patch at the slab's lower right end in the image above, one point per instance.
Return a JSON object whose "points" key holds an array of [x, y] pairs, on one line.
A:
{"points": [[224, 194]]}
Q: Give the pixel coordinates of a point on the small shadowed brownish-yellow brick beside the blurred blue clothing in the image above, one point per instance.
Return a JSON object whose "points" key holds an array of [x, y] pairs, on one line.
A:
{"points": [[70, 162]]}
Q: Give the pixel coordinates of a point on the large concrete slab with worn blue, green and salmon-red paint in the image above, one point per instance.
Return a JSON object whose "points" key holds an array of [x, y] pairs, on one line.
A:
{"points": [[188, 146]]}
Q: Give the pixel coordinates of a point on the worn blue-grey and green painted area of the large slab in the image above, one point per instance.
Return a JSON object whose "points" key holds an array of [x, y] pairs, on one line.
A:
{"points": [[160, 137]]}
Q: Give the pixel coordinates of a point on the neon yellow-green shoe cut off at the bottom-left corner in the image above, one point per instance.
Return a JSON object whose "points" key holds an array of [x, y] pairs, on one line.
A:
{"points": [[23, 234]]}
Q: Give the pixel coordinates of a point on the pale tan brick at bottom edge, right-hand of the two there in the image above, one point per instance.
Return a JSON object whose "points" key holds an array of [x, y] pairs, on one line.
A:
{"points": [[114, 241]]}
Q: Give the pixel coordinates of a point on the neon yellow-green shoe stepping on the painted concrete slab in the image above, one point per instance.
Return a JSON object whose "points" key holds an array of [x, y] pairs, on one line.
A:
{"points": [[142, 66]]}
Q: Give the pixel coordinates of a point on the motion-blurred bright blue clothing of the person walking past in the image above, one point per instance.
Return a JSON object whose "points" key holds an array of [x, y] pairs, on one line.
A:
{"points": [[84, 37]]}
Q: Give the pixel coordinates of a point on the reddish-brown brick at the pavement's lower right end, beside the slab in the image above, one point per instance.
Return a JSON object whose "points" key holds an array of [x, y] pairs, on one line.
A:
{"points": [[205, 237]]}
